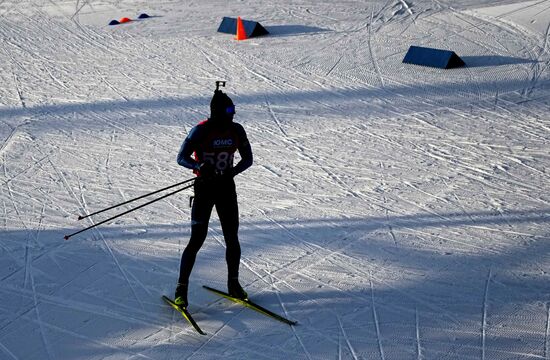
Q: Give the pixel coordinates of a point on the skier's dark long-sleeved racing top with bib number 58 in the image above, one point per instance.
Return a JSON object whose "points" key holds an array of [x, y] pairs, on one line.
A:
{"points": [[210, 142]]}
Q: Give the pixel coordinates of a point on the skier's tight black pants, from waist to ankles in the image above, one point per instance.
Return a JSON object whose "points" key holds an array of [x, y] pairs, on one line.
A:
{"points": [[221, 194]]}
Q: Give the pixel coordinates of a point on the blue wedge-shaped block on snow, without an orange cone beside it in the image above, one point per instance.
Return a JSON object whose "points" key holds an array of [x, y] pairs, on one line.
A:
{"points": [[442, 59]]}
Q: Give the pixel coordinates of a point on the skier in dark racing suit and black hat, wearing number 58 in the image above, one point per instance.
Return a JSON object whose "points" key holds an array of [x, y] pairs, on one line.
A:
{"points": [[209, 150]]}
